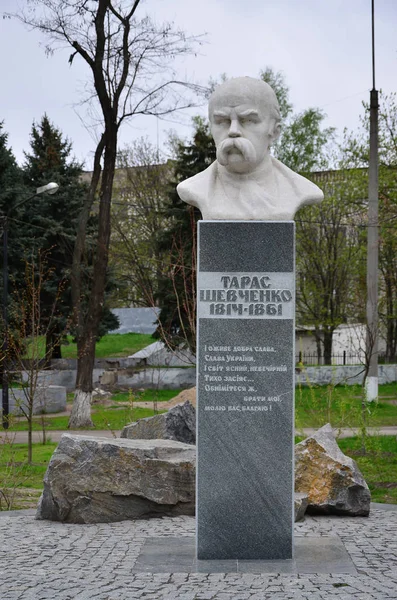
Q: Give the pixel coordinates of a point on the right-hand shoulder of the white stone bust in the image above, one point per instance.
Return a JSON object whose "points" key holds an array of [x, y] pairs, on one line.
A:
{"points": [[304, 190]]}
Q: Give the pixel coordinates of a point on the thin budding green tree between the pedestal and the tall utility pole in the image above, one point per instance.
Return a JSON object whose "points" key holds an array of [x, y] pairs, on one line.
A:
{"points": [[329, 259]]}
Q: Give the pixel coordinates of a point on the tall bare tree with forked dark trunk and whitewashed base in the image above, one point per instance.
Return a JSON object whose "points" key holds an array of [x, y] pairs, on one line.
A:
{"points": [[131, 65]]}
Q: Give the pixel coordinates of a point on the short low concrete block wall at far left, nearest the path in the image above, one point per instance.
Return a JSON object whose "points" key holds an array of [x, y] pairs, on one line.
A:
{"points": [[49, 399]]}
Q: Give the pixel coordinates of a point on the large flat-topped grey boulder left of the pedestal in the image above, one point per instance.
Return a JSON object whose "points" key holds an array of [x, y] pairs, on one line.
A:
{"points": [[97, 480]]}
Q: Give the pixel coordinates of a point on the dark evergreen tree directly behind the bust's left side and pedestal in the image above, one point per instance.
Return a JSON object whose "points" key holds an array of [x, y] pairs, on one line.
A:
{"points": [[177, 295]]}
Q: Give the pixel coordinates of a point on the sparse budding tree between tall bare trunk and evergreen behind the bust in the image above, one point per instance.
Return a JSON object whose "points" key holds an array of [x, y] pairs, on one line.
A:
{"points": [[139, 196]]}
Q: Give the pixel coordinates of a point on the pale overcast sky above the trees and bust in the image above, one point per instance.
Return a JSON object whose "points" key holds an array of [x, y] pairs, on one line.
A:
{"points": [[323, 48]]}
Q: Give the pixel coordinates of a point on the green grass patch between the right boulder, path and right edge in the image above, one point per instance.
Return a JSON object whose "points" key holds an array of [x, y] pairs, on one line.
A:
{"points": [[378, 464]]}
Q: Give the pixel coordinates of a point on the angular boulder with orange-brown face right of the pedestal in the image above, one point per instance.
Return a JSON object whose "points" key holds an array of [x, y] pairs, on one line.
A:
{"points": [[331, 480]]}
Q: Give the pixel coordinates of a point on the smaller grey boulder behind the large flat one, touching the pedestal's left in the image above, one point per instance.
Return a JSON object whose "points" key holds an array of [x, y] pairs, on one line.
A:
{"points": [[179, 424]]}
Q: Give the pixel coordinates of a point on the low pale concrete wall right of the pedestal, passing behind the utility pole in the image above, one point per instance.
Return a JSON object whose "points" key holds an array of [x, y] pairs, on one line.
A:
{"points": [[347, 375]]}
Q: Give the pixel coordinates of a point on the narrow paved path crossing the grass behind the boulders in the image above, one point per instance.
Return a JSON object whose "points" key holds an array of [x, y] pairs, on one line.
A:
{"points": [[21, 437]]}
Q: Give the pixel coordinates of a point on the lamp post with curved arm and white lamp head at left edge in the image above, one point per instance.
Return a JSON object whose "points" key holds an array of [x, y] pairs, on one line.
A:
{"points": [[50, 188]]}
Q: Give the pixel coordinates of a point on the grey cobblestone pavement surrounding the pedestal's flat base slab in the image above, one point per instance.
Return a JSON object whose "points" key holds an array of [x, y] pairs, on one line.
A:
{"points": [[42, 560]]}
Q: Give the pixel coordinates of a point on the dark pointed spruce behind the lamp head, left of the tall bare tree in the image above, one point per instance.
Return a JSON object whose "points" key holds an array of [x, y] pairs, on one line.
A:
{"points": [[49, 225]]}
